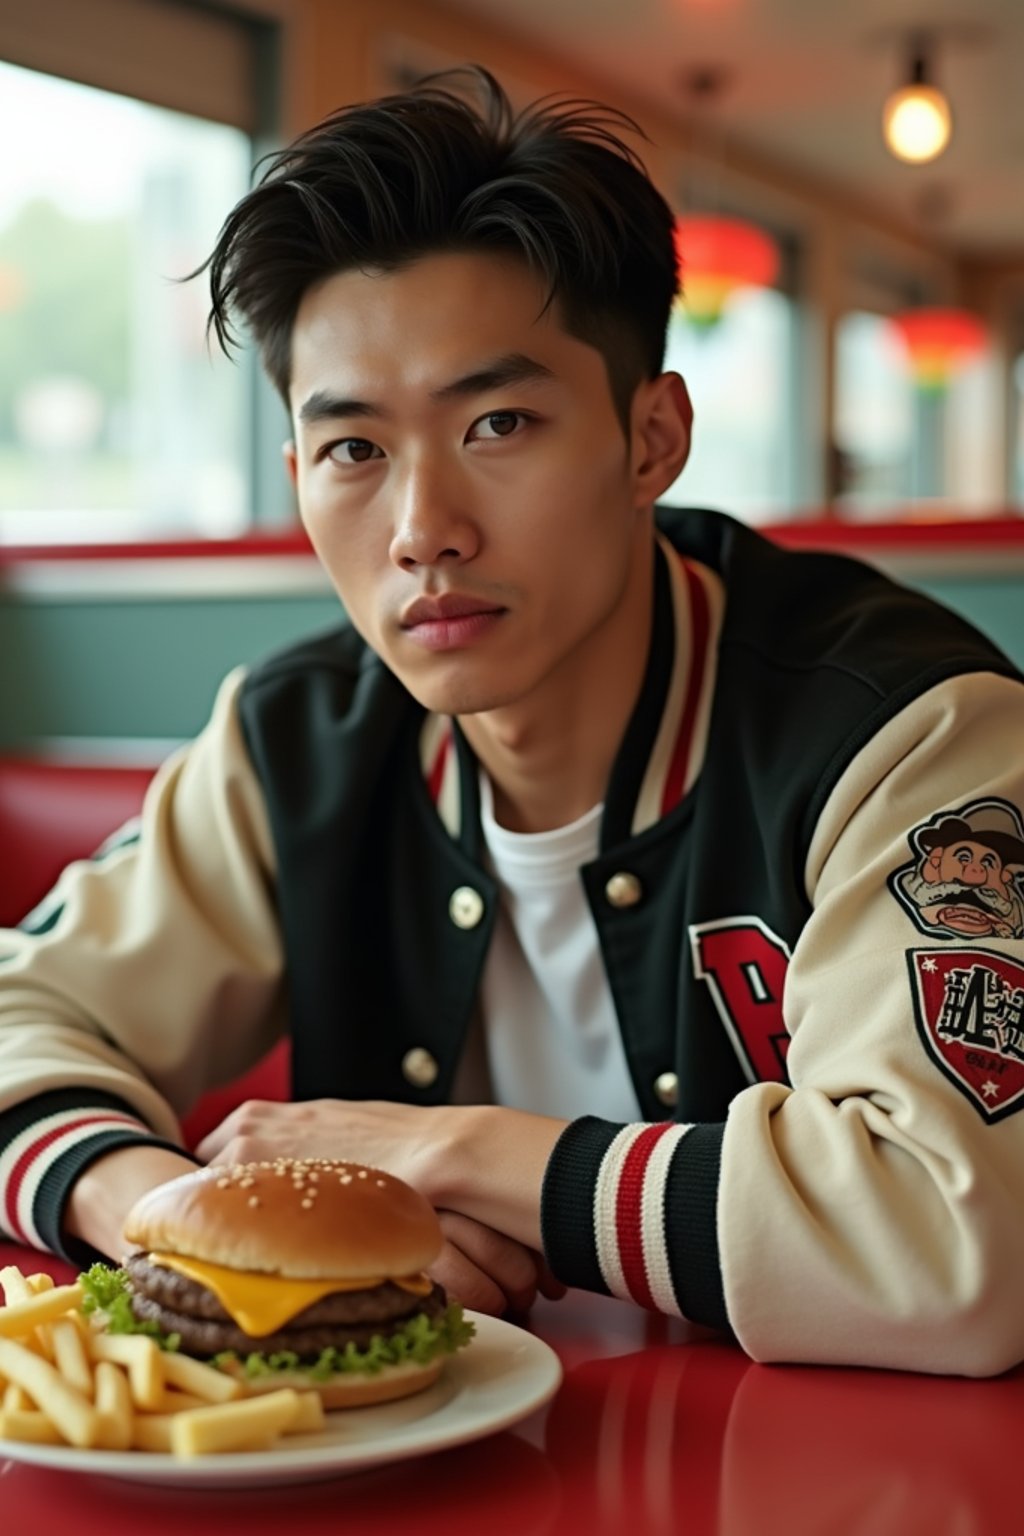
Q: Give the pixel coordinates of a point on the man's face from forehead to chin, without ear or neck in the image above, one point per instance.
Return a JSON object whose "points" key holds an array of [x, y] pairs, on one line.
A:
{"points": [[463, 475]]}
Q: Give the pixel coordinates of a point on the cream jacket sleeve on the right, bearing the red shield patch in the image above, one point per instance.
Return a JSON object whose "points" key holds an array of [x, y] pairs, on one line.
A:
{"points": [[874, 1213]]}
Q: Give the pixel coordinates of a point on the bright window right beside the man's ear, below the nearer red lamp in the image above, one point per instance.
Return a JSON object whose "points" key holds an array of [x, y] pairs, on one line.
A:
{"points": [[741, 374]]}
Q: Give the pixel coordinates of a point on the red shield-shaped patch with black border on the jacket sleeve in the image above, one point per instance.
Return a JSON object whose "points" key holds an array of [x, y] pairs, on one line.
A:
{"points": [[969, 1010]]}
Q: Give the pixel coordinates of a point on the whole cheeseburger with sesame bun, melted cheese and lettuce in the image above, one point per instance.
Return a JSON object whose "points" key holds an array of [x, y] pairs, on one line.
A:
{"points": [[296, 1273]]}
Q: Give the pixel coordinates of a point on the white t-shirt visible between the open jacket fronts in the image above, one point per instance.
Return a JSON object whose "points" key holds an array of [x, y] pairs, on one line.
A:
{"points": [[549, 1022]]}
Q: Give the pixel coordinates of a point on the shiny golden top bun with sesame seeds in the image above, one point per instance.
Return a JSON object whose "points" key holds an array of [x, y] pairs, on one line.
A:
{"points": [[319, 1219]]}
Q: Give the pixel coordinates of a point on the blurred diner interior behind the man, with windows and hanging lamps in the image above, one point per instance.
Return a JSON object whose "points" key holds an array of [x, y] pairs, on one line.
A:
{"points": [[850, 185]]}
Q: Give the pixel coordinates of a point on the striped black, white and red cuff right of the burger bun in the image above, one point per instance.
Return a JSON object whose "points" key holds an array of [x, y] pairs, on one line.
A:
{"points": [[632, 1211]]}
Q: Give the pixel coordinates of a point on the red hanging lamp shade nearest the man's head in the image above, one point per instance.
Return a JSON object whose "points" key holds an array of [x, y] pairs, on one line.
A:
{"points": [[718, 257]]}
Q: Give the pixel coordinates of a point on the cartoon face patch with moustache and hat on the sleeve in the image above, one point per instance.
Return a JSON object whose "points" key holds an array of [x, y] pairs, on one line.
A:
{"points": [[966, 878]]}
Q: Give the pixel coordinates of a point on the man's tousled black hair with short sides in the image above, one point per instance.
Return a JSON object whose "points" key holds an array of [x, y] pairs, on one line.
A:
{"points": [[383, 184]]}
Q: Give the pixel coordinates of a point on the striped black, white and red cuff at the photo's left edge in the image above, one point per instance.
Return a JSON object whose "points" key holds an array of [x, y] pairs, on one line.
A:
{"points": [[45, 1145]]}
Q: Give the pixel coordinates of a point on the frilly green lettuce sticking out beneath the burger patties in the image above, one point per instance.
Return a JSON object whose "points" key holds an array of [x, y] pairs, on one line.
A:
{"points": [[420, 1340]]}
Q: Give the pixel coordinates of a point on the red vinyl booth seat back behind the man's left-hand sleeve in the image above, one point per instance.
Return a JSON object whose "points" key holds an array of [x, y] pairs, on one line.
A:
{"points": [[53, 813]]}
